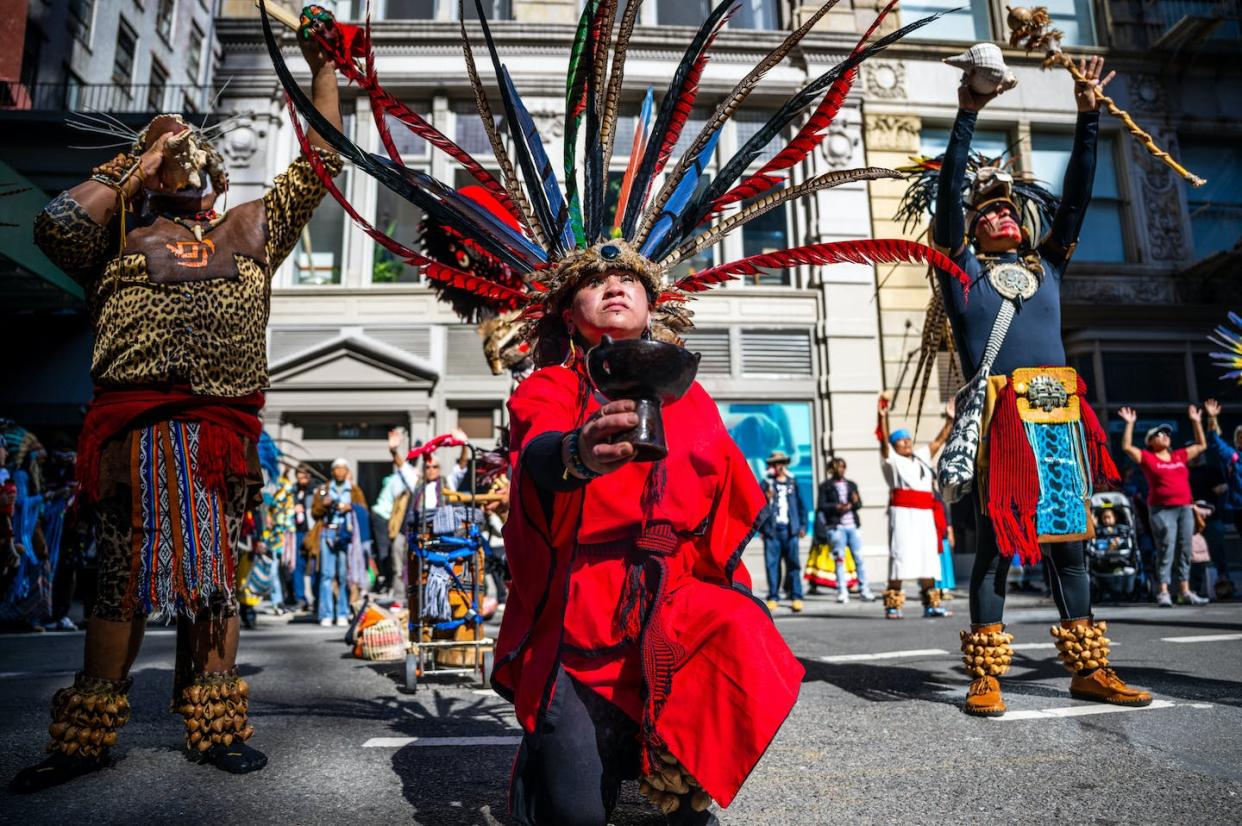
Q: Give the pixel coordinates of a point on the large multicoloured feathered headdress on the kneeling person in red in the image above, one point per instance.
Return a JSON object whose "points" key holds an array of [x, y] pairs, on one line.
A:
{"points": [[528, 255]]}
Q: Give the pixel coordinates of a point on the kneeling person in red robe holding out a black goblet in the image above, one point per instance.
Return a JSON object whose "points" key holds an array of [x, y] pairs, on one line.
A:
{"points": [[632, 643]]}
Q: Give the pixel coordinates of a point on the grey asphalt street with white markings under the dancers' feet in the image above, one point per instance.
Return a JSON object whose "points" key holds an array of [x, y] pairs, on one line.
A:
{"points": [[873, 740]]}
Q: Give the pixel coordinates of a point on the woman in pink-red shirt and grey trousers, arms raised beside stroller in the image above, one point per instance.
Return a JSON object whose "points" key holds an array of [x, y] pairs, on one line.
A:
{"points": [[1169, 499]]}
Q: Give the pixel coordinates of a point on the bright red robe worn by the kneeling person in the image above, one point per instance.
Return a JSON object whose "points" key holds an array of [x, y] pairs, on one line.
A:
{"points": [[643, 568]]}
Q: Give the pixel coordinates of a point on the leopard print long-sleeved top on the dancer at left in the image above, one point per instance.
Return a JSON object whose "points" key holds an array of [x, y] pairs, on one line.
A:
{"points": [[209, 335]]}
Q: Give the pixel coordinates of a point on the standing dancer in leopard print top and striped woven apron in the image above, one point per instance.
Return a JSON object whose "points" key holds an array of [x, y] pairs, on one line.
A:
{"points": [[179, 299]]}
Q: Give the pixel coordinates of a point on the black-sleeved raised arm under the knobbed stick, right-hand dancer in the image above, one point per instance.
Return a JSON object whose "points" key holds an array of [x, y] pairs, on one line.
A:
{"points": [[1081, 171]]}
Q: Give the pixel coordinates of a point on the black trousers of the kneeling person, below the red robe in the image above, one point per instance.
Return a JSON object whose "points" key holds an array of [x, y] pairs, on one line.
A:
{"points": [[571, 771]]}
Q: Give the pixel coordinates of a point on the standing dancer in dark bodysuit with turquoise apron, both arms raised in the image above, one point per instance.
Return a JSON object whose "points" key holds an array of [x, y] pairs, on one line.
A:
{"points": [[1043, 448]]}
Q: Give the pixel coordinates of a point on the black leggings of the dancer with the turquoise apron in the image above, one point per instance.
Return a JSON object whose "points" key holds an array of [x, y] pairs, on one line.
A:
{"points": [[1067, 576]]}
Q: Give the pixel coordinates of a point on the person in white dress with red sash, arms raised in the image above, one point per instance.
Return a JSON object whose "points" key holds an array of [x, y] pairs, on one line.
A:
{"points": [[916, 516]]}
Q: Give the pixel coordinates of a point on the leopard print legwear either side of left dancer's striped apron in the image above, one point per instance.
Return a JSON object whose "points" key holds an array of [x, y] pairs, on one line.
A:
{"points": [[114, 542]]}
